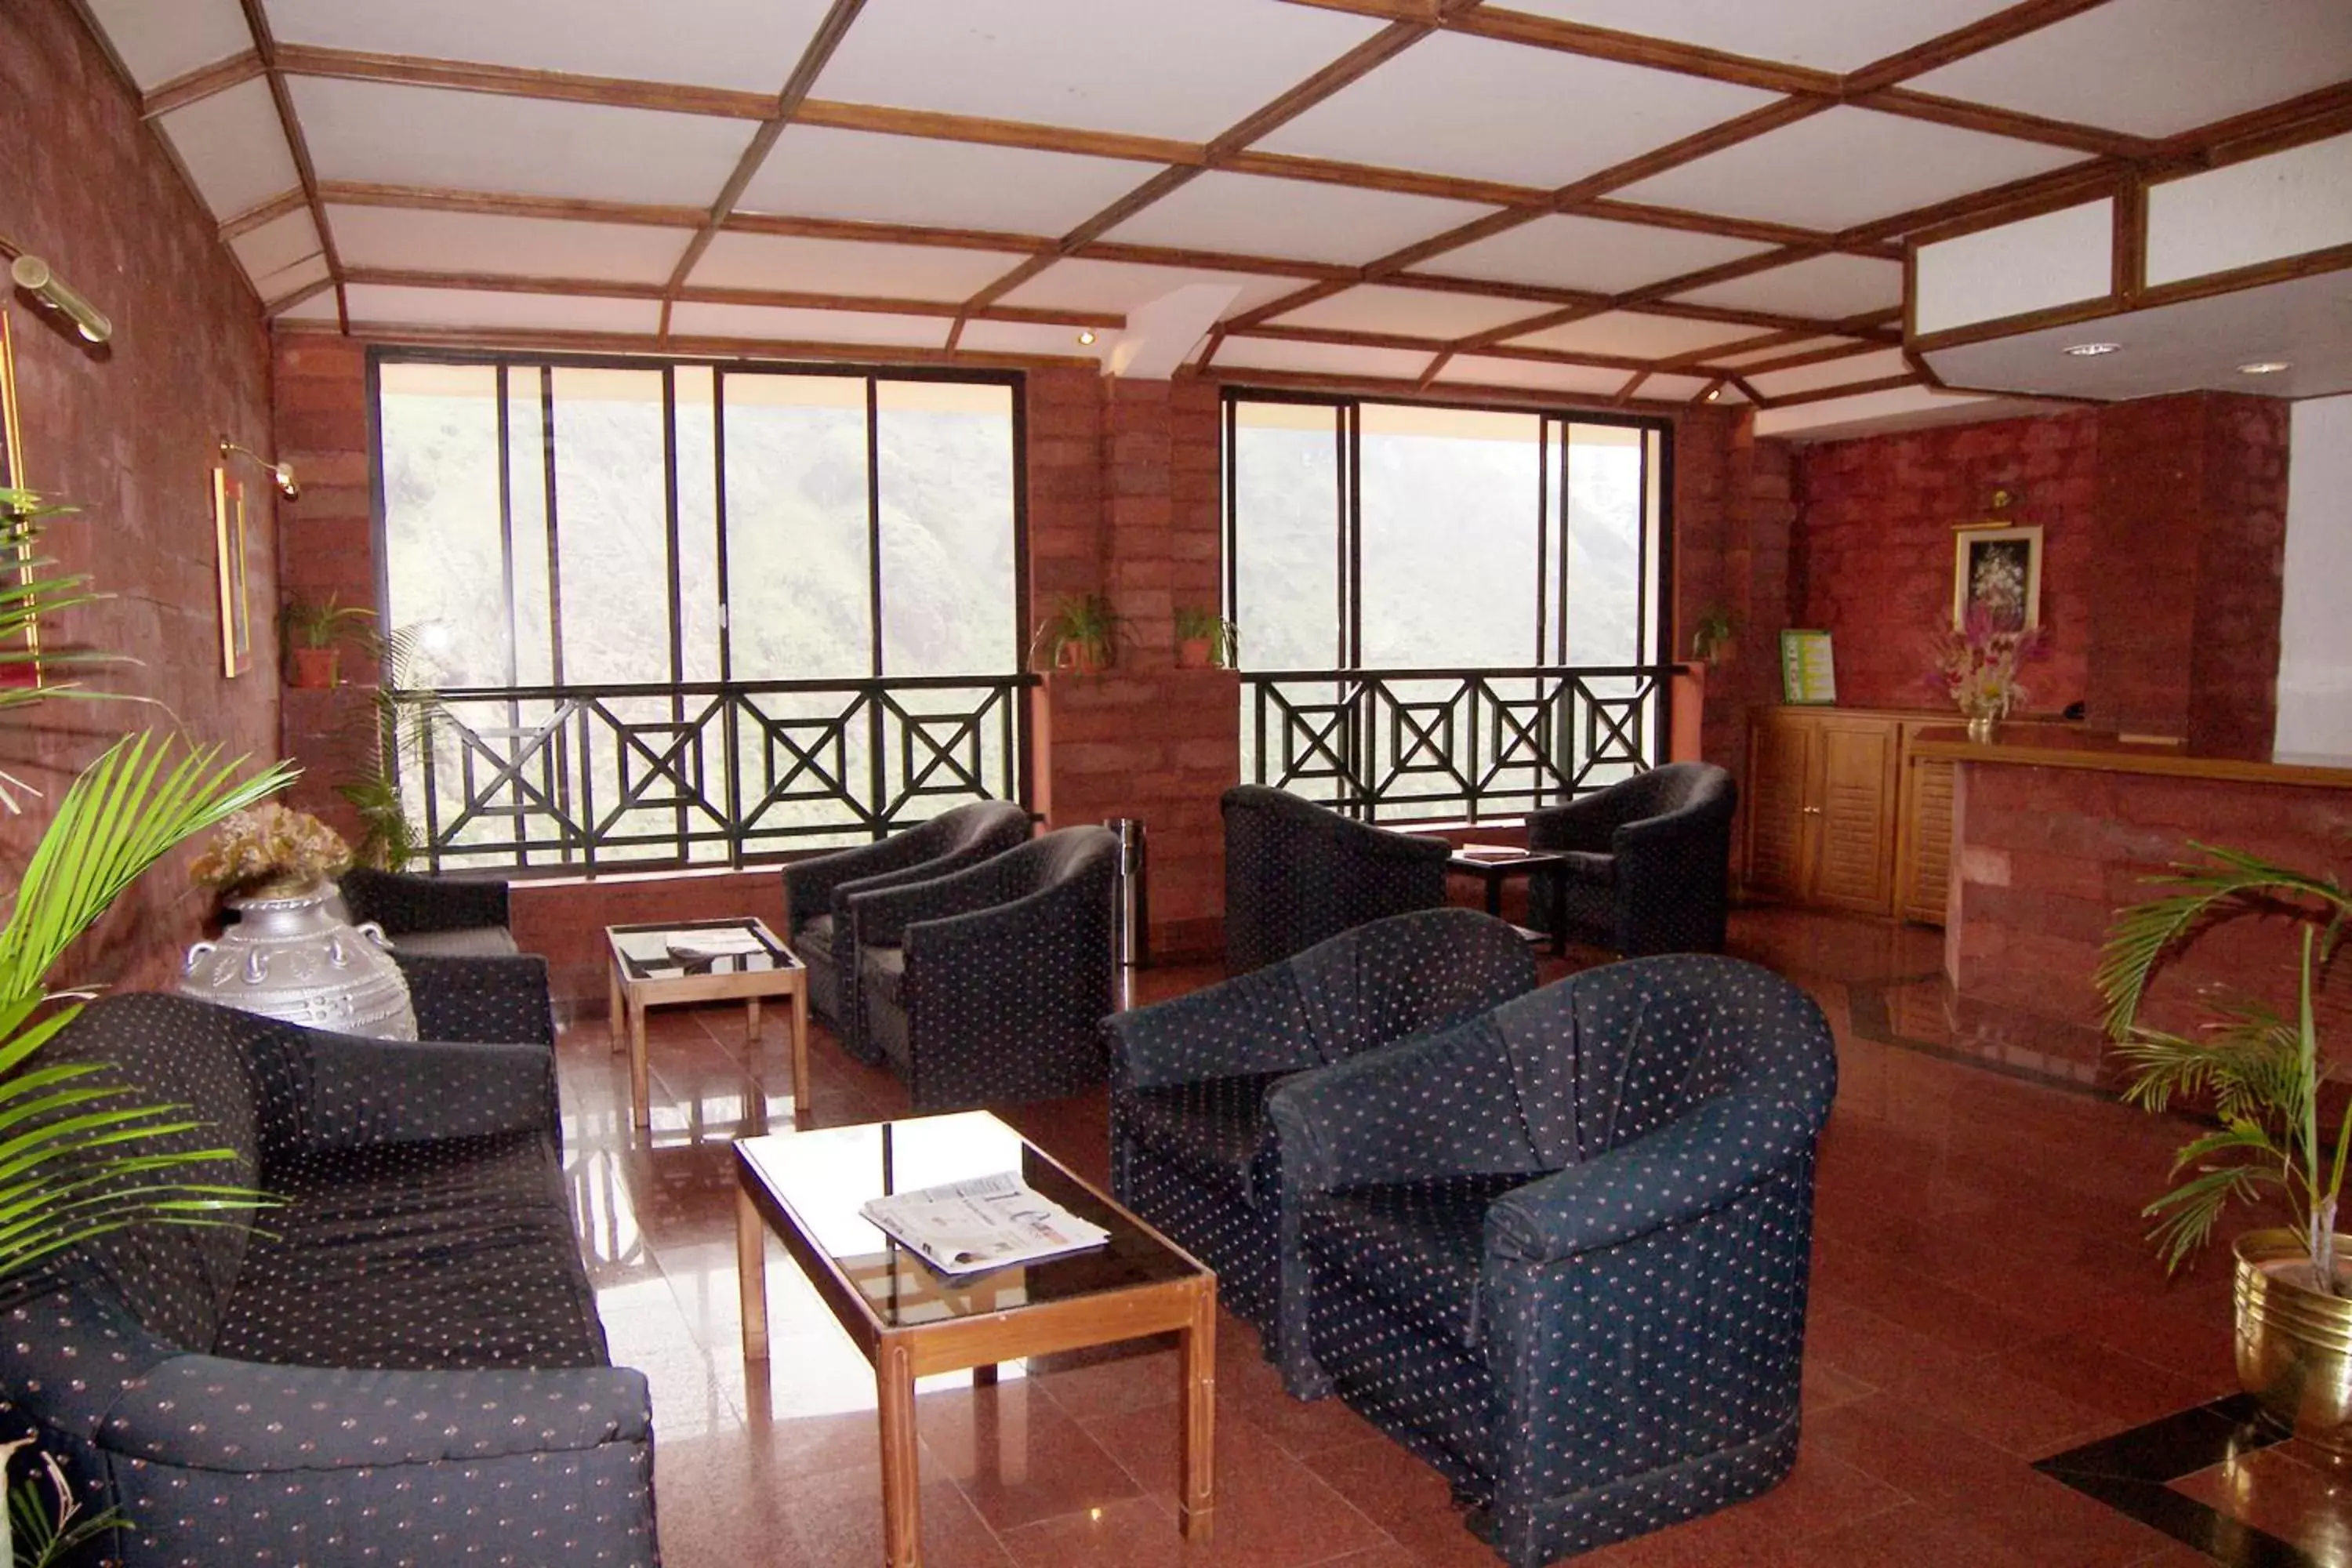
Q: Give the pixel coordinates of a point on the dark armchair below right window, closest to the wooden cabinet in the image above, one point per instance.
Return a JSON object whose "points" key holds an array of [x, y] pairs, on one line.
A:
{"points": [[1648, 862]]}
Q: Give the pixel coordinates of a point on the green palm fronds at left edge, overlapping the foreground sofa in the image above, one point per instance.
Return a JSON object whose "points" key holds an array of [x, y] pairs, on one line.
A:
{"points": [[79, 1153]]}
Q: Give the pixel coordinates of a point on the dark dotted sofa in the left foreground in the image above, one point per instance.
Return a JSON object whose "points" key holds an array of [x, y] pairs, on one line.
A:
{"points": [[401, 1362]]}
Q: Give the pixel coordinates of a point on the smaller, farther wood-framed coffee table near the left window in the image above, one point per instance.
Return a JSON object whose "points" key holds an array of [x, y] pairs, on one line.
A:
{"points": [[704, 960]]}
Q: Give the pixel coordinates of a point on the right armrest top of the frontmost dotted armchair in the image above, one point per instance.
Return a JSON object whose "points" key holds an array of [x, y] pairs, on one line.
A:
{"points": [[1673, 1177]]}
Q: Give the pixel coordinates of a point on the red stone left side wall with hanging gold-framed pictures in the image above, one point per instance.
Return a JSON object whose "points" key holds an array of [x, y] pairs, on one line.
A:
{"points": [[128, 434]]}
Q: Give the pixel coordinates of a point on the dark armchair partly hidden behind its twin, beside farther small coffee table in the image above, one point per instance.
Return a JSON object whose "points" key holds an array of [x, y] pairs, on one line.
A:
{"points": [[817, 902]]}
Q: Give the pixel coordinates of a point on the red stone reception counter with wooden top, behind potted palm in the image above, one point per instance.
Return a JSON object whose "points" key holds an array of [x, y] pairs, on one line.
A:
{"points": [[2054, 829]]}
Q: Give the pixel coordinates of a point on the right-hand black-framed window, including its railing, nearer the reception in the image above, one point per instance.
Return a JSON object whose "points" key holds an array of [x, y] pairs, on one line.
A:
{"points": [[1445, 612]]}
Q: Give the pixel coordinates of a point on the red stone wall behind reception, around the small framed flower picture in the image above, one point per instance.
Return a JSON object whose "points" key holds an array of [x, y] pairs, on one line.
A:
{"points": [[1876, 547]]}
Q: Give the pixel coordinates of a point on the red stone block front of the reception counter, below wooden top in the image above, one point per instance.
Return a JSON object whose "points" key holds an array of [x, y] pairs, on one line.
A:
{"points": [[2045, 857]]}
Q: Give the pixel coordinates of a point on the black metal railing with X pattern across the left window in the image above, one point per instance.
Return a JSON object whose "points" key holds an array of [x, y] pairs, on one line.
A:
{"points": [[641, 777]]}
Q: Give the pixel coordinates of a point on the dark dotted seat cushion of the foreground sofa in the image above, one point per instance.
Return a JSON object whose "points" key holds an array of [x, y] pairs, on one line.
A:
{"points": [[436, 1254]]}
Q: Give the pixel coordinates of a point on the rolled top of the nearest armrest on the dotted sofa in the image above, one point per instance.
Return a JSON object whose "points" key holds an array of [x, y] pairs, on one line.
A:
{"points": [[283, 1419]]}
